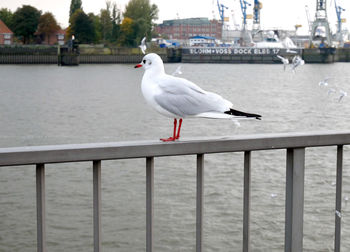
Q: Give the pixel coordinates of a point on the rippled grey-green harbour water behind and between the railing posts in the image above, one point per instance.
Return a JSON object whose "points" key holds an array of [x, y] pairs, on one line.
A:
{"points": [[43, 105]]}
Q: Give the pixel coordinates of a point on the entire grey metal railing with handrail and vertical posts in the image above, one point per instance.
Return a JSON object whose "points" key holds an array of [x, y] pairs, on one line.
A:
{"points": [[294, 143]]}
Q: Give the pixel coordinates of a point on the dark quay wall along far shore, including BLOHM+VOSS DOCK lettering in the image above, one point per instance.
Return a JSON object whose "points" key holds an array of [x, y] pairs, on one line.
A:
{"points": [[102, 55]]}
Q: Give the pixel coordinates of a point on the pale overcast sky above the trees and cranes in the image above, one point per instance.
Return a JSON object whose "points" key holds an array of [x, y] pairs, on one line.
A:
{"points": [[274, 14]]}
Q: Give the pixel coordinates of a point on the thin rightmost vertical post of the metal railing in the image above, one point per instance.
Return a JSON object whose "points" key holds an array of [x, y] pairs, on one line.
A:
{"points": [[338, 200]]}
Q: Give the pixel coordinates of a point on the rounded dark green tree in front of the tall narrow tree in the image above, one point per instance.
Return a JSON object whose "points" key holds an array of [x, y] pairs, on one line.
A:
{"points": [[82, 27]]}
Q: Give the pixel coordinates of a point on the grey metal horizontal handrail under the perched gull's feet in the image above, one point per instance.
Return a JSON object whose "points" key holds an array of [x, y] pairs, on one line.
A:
{"points": [[140, 149]]}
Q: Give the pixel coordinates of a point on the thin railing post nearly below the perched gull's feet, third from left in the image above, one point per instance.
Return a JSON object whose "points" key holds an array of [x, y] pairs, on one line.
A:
{"points": [[149, 202]]}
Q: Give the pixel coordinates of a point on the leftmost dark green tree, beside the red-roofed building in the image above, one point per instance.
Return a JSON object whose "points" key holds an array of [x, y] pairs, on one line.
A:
{"points": [[25, 22]]}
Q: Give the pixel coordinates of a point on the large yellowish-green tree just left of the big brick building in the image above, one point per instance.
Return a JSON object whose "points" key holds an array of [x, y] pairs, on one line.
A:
{"points": [[142, 13]]}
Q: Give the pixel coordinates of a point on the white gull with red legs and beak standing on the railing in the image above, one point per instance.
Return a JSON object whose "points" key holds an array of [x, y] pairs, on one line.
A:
{"points": [[179, 98]]}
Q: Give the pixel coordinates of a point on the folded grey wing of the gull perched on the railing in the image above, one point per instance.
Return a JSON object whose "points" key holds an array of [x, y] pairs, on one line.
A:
{"points": [[184, 98]]}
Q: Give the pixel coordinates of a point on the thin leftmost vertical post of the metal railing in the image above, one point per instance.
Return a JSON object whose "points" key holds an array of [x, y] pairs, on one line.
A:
{"points": [[40, 206]]}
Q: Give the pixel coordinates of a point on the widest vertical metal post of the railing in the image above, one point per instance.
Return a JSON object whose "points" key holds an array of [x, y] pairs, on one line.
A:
{"points": [[294, 200]]}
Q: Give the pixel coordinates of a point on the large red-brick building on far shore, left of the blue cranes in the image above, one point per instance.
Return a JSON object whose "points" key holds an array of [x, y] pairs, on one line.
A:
{"points": [[183, 29]]}
